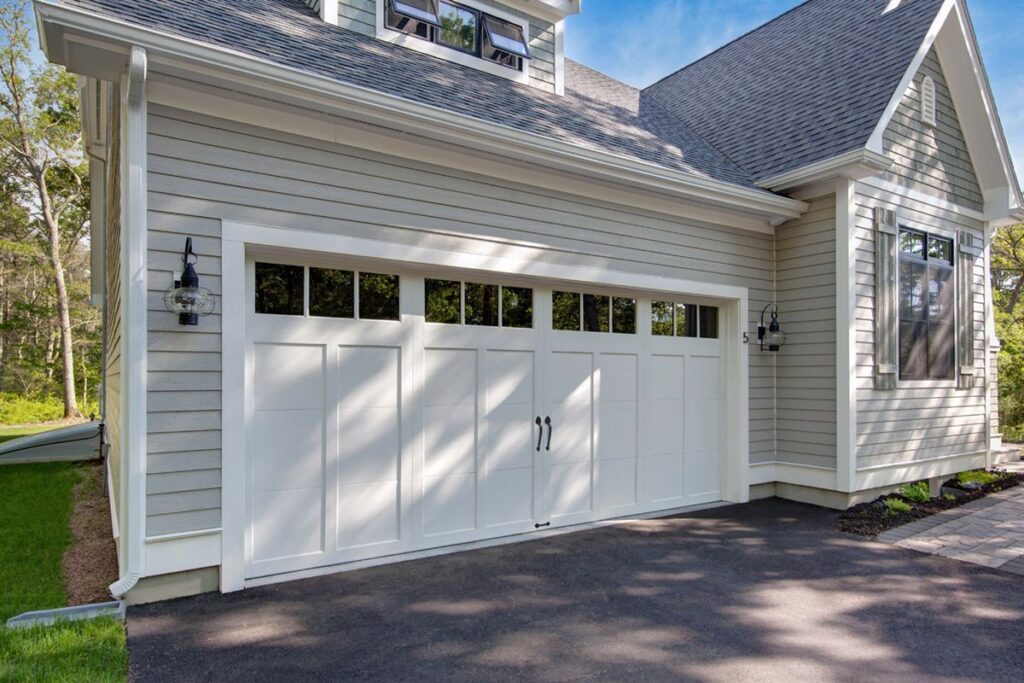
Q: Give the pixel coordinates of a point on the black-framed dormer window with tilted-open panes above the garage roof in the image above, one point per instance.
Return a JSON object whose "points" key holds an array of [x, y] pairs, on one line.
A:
{"points": [[463, 28]]}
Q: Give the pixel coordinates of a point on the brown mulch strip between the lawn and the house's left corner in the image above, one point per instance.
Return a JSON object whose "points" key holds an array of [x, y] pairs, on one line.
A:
{"points": [[91, 564]]}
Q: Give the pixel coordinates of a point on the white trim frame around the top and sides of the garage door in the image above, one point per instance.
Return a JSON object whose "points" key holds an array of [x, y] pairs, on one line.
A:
{"points": [[514, 262]]}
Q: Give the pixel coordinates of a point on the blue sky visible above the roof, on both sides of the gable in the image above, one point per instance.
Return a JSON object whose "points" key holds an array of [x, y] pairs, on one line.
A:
{"points": [[641, 41]]}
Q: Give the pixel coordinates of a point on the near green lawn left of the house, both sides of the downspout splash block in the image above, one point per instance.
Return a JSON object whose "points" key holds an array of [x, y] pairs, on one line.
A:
{"points": [[35, 510]]}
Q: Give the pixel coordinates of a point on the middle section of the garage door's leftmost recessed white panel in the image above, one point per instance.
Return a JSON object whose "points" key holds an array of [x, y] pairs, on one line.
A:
{"points": [[289, 451]]}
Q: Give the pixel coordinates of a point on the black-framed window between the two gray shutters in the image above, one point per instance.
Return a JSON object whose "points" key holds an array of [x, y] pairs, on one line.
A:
{"points": [[927, 330]]}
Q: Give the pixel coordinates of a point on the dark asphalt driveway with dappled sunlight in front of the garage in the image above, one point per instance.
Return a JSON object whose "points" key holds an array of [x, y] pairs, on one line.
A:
{"points": [[766, 591]]}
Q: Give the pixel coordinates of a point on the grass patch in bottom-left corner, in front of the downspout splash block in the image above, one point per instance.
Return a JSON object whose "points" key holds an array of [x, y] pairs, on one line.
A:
{"points": [[93, 652]]}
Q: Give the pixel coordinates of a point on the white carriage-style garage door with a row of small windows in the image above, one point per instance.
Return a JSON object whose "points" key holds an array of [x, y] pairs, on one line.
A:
{"points": [[396, 412]]}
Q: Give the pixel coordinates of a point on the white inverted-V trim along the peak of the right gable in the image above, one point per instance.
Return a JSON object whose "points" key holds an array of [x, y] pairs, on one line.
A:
{"points": [[953, 36]]}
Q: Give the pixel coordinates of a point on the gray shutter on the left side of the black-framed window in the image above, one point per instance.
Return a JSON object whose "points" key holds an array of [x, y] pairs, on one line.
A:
{"points": [[886, 304]]}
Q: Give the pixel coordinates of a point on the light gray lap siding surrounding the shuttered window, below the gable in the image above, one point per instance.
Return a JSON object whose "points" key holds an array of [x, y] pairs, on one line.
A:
{"points": [[918, 421]]}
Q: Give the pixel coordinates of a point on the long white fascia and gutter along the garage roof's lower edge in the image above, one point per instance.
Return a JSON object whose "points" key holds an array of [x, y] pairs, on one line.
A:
{"points": [[432, 122]]}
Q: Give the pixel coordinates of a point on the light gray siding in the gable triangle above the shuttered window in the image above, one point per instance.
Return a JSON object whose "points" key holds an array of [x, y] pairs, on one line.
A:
{"points": [[936, 160]]}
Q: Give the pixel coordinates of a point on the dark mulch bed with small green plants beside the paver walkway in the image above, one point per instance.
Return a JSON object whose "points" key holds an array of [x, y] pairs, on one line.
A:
{"points": [[870, 520]]}
